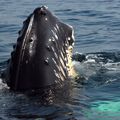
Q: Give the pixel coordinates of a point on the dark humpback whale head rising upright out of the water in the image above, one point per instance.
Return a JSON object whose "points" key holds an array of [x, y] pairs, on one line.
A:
{"points": [[41, 56]]}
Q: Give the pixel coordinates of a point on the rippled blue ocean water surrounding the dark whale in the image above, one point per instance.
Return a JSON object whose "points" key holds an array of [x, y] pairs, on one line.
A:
{"points": [[96, 58]]}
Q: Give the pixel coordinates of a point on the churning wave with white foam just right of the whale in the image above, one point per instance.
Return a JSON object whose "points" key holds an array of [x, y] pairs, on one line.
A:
{"points": [[96, 69]]}
